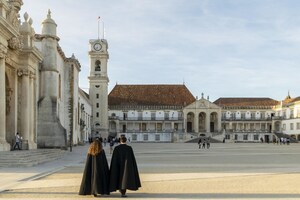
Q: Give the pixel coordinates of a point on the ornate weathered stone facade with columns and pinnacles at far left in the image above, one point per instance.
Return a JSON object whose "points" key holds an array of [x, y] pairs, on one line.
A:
{"points": [[38, 84]]}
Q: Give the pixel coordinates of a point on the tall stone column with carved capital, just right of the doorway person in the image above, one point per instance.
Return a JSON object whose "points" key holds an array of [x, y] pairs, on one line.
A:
{"points": [[25, 108]]}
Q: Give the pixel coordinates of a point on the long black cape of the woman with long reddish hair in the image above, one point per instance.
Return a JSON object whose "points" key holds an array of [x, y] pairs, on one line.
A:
{"points": [[95, 179]]}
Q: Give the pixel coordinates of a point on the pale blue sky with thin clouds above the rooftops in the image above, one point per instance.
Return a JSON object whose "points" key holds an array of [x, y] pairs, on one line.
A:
{"points": [[222, 48]]}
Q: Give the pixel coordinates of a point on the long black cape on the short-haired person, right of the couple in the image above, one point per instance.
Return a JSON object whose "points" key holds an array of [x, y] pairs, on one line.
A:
{"points": [[123, 169]]}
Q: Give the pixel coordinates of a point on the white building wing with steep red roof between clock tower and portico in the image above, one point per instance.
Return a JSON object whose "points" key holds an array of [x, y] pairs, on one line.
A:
{"points": [[148, 113]]}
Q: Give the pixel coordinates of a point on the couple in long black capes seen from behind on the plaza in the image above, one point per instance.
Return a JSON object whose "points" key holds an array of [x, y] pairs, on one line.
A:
{"points": [[99, 179]]}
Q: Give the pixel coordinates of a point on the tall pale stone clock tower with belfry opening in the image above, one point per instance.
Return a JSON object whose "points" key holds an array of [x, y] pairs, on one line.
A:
{"points": [[98, 79]]}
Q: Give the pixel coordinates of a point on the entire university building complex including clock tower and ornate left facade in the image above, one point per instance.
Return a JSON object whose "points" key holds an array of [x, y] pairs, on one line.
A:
{"points": [[41, 99]]}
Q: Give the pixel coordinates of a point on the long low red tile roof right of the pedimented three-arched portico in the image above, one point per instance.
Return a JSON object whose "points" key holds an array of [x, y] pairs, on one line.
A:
{"points": [[246, 102]]}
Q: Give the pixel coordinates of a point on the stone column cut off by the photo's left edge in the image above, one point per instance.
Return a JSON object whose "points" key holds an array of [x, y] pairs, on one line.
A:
{"points": [[4, 146]]}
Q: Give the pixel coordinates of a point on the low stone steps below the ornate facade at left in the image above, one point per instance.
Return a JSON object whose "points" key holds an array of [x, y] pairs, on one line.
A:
{"points": [[28, 158]]}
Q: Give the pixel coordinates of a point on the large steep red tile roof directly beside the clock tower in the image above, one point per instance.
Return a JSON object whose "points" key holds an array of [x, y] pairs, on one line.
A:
{"points": [[150, 95]]}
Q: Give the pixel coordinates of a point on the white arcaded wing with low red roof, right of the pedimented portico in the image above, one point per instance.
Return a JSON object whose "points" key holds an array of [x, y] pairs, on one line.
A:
{"points": [[247, 119]]}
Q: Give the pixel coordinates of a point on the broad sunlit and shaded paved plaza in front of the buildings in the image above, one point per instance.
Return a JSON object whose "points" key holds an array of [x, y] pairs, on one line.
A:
{"points": [[173, 171]]}
